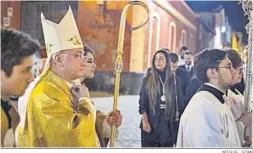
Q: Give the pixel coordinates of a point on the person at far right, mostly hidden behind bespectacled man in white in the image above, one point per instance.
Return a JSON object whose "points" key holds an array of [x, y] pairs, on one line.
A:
{"points": [[236, 100]]}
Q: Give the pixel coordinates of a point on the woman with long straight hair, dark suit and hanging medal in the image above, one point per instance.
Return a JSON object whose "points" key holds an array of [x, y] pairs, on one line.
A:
{"points": [[160, 104]]}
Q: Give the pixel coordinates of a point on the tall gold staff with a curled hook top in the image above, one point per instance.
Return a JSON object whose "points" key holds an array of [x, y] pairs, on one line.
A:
{"points": [[119, 62]]}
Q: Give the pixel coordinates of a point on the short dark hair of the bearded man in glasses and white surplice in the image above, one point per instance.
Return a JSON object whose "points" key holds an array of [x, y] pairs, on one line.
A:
{"points": [[208, 58]]}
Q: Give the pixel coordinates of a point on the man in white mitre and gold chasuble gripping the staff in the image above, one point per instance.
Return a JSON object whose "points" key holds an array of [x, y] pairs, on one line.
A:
{"points": [[58, 111]]}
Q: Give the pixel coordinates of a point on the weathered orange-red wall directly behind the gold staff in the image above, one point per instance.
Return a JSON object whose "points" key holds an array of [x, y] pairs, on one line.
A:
{"points": [[101, 32]]}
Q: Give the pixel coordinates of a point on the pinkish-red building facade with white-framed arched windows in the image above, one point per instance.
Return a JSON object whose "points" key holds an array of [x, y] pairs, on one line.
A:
{"points": [[164, 19]]}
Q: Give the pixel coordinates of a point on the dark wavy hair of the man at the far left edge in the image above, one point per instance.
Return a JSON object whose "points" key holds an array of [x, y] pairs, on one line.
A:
{"points": [[15, 46]]}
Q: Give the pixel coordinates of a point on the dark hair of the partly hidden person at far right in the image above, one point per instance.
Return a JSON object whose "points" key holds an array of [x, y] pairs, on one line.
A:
{"points": [[234, 57]]}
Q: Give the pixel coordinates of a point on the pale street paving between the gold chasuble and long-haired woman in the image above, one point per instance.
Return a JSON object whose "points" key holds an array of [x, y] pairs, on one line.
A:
{"points": [[129, 132]]}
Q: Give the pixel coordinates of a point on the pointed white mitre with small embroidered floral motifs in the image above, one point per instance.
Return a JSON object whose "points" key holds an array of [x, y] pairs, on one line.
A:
{"points": [[62, 36]]}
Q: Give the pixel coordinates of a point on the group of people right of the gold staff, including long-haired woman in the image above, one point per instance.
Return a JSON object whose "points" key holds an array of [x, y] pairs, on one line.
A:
{"points": [[203, 104]]}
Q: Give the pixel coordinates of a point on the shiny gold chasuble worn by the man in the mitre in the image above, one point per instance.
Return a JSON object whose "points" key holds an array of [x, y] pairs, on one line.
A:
{"points": [[51, 120]]}
